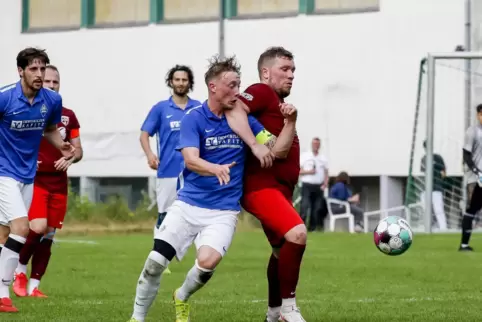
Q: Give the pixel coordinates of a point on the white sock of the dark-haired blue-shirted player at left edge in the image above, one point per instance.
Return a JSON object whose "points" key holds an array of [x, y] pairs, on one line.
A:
{"points": [[8, 263]]}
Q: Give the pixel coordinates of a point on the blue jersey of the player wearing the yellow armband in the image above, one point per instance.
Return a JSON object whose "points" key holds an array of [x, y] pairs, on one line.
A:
{"points": [[218, 144]]}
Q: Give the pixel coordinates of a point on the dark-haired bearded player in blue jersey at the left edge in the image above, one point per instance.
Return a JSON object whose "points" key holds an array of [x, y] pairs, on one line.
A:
{"points": [[27, 110]]}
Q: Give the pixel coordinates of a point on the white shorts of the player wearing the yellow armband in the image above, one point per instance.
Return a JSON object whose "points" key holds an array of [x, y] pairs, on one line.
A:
{"points": [[184, 223]]}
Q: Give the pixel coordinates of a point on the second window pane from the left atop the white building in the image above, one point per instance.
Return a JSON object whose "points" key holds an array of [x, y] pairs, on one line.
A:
{"points": [[121, 11]]}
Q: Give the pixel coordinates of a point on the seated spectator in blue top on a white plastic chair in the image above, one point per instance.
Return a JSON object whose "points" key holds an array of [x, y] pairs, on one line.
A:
{"points": [[341, 191]]}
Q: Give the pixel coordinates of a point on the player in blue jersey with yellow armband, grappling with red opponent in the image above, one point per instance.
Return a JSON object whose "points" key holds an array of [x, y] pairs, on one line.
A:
{"points": [[211, 183]]}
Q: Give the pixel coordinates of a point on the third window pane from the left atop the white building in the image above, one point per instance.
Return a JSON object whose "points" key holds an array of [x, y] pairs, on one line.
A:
{"points": [[190, 9]]}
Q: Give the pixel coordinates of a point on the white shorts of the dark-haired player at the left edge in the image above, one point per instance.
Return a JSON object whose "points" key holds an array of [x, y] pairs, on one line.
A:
{"points": [[15, 199]]}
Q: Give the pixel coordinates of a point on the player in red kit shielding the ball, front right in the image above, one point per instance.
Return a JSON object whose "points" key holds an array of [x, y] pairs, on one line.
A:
{"points": [[268, 192]]}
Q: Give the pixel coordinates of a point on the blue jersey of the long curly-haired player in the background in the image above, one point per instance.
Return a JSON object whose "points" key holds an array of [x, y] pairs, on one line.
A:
{"points": [[164, 119]]}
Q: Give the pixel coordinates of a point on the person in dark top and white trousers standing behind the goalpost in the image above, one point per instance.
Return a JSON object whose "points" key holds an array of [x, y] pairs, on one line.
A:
{"points": [[439, 174]]}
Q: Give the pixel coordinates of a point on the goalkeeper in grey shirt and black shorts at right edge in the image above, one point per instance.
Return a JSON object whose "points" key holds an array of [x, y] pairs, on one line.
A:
{"points": [[473, 160]]}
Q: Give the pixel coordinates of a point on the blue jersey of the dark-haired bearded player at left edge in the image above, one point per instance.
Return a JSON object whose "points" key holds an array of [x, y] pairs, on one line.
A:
{"points": [[21, 128]]}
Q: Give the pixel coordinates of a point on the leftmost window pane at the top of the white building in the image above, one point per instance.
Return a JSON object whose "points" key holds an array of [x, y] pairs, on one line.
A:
{"points": [[53, 14]]}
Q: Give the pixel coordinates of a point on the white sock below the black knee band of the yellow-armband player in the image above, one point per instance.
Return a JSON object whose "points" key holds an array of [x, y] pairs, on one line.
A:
{"points": [[148, 284]]}
